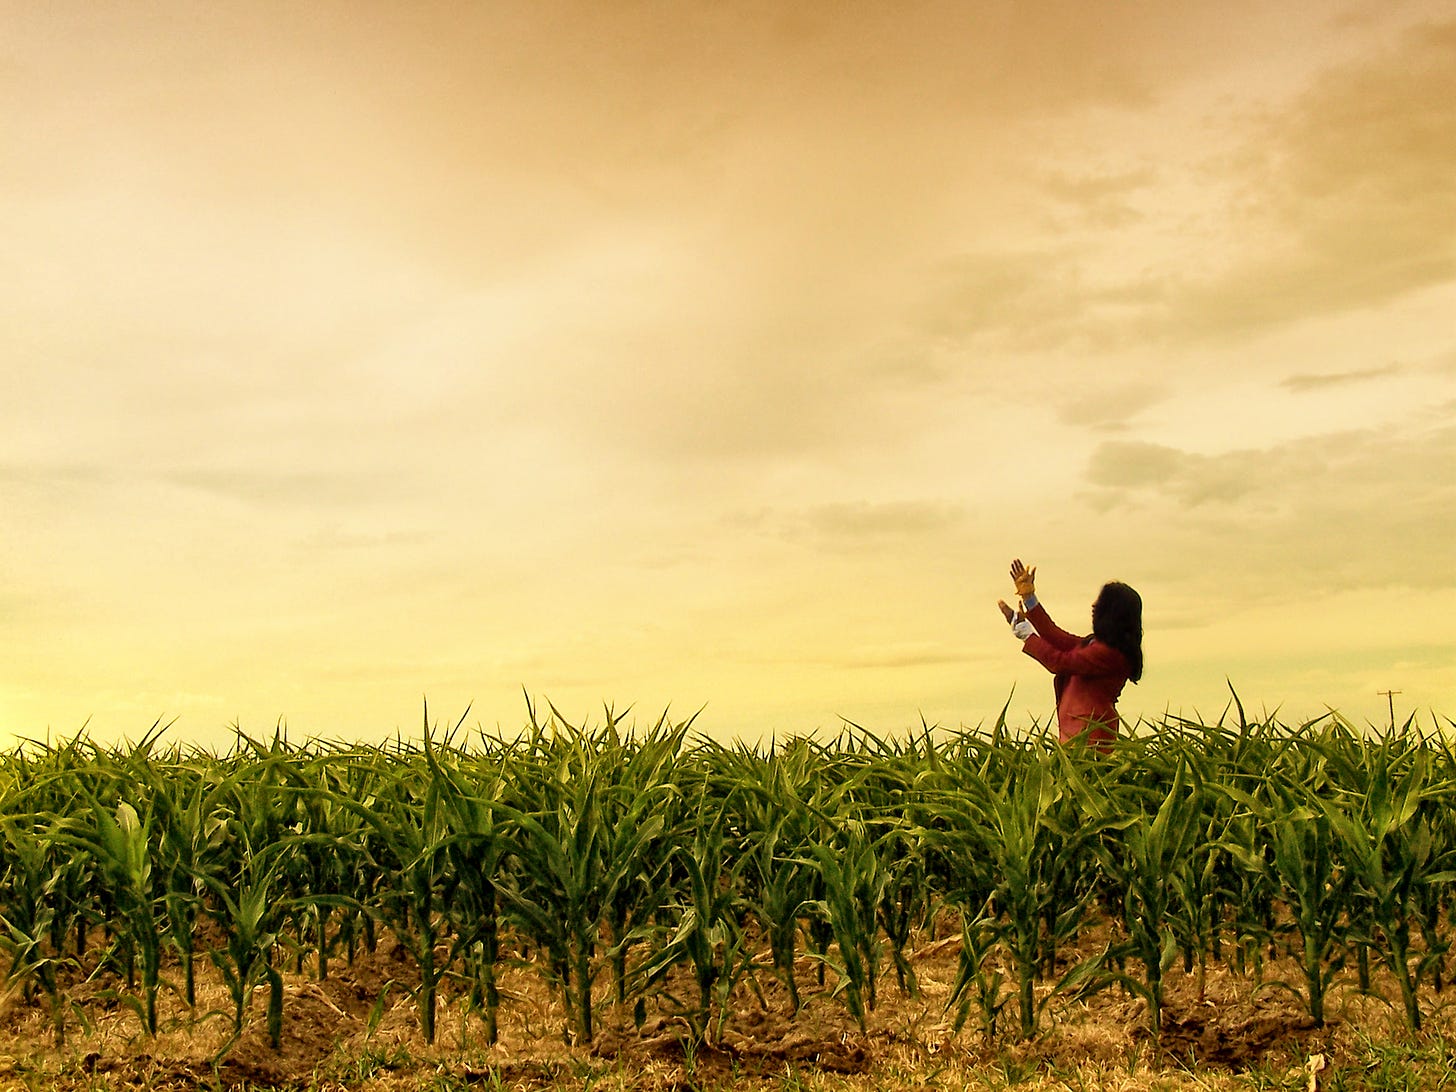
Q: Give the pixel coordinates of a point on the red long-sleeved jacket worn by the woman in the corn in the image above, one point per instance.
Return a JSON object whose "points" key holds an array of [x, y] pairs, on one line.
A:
{"points": [[1090, 676]]}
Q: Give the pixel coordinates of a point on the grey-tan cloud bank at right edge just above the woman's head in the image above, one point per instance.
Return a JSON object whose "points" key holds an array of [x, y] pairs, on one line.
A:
{"points": [[1315, 516]]}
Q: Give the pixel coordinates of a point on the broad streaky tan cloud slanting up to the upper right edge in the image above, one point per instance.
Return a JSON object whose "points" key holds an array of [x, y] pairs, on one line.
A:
{"points": [[1324, 203]]}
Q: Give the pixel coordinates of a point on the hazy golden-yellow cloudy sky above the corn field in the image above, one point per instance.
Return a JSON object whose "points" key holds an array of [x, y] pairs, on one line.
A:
{"points": [[366, 363]]}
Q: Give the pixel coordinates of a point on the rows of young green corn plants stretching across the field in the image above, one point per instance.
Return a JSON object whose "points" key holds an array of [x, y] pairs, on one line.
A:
{"points": [[650, 871]]}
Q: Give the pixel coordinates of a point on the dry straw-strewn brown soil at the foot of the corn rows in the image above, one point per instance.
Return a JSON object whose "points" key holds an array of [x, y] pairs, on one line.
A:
{"points": [[339, 1034]]}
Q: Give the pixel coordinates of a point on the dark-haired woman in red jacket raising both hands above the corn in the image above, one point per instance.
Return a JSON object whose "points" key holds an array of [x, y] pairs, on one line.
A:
{"points": [[1090, 672]]}
